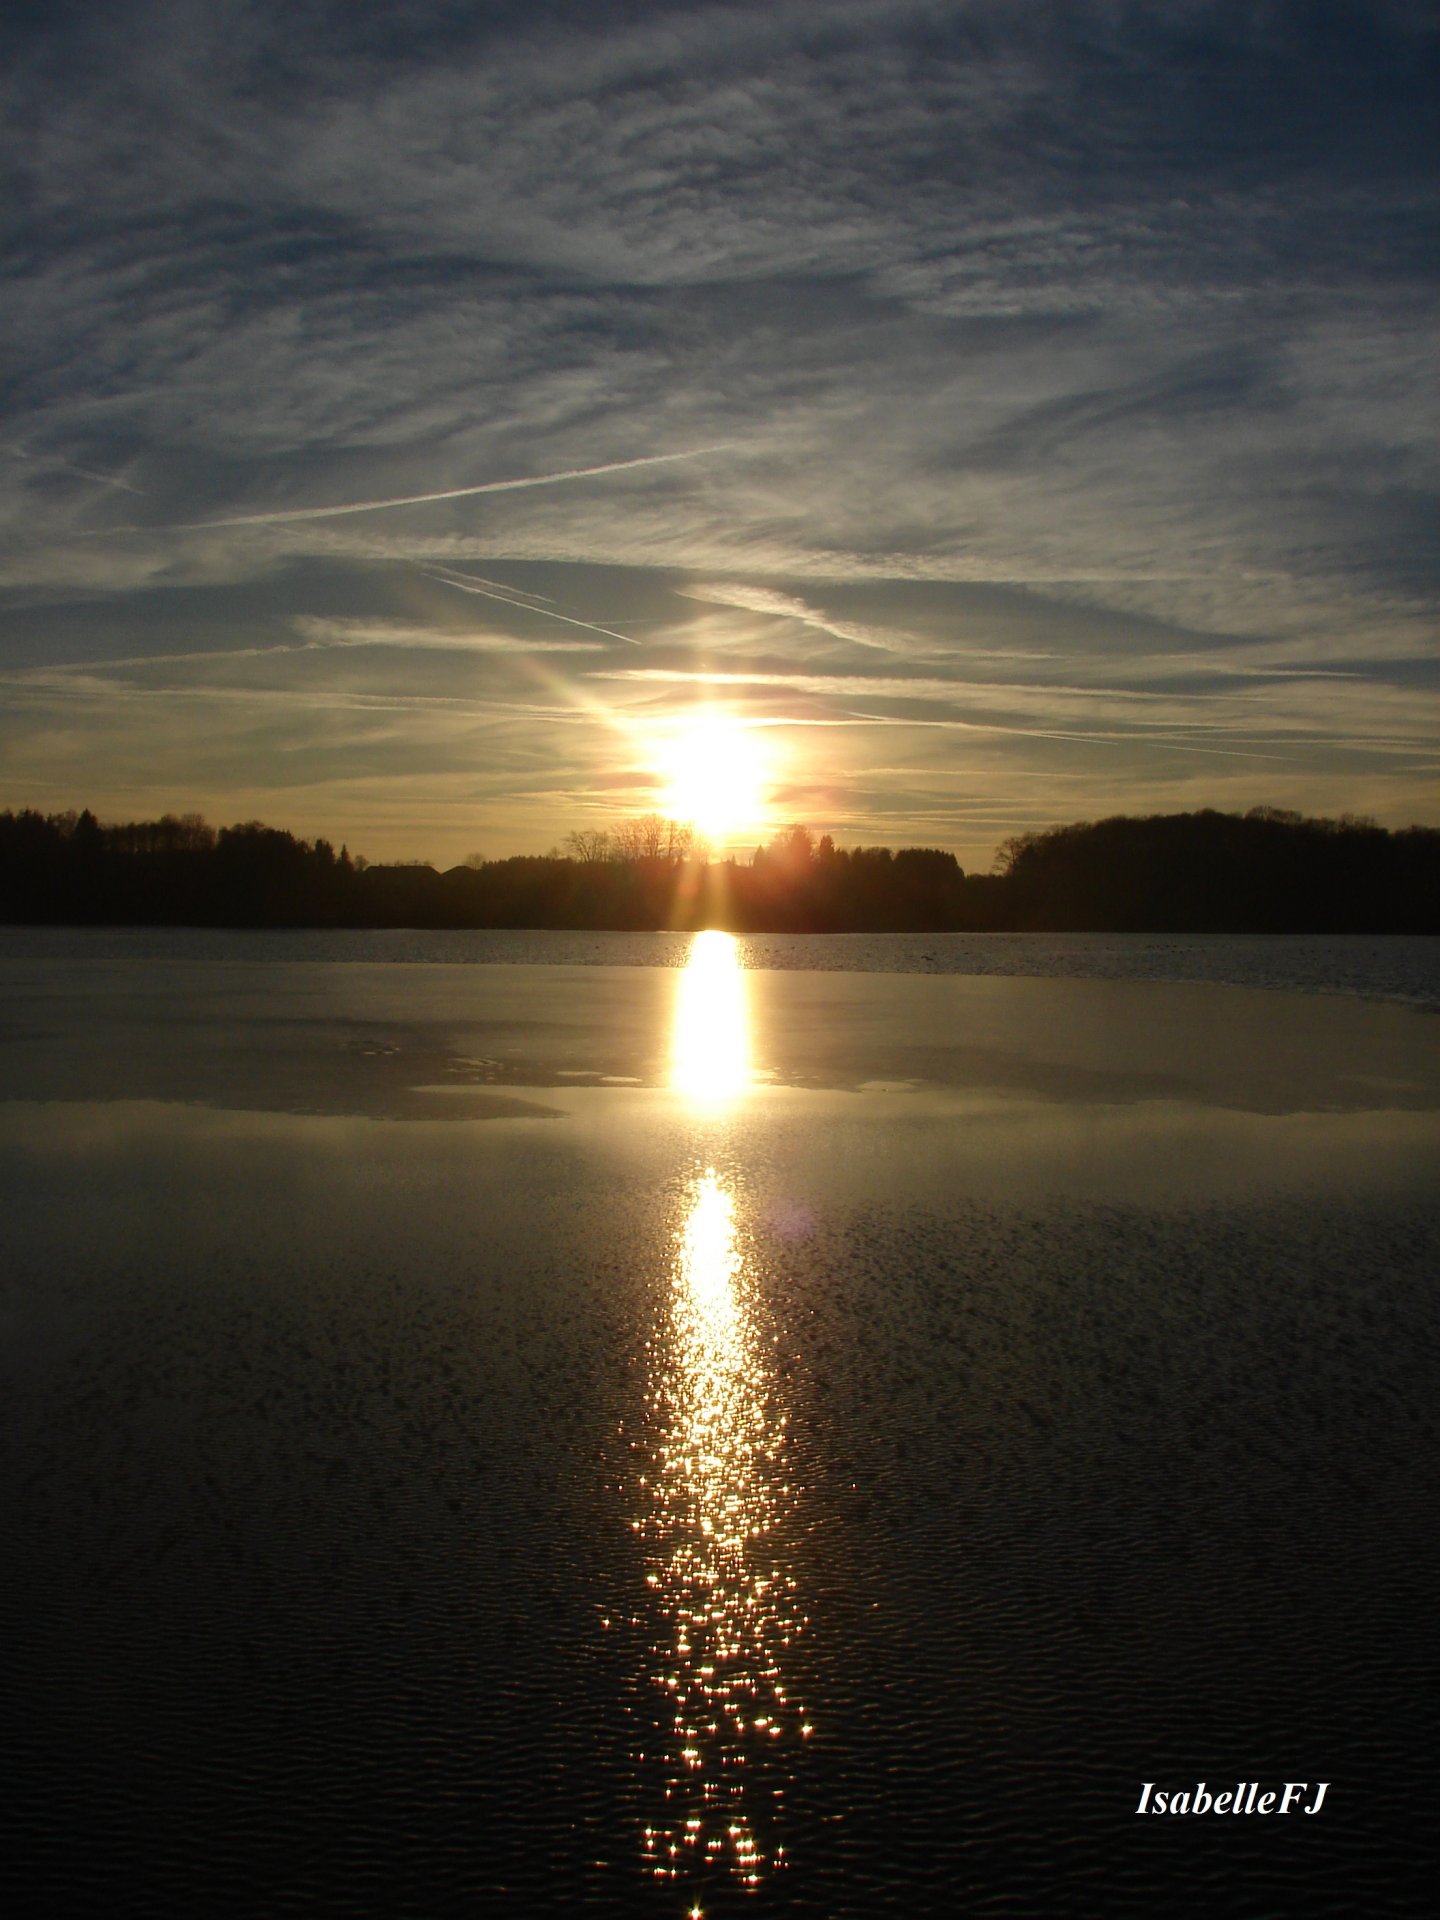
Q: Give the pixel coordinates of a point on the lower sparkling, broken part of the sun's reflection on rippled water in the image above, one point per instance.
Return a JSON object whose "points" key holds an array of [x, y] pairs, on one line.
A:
{"points": [[715, 1564]]}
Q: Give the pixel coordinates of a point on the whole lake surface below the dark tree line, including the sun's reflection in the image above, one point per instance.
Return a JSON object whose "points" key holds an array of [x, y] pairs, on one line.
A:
{"points": [[638, 1435]]}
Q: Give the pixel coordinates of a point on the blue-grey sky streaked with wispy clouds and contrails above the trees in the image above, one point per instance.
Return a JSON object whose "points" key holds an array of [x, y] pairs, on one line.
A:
{"points": [[990, 416]]}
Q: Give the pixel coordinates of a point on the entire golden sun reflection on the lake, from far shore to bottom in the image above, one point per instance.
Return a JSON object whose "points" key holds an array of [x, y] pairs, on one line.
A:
{"points": [[715, 1499]]}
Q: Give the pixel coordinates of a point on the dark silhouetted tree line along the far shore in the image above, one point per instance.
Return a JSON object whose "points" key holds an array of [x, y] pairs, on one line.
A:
{"points": [[1205, 873]]}
